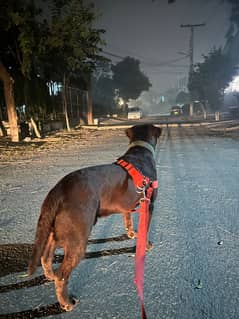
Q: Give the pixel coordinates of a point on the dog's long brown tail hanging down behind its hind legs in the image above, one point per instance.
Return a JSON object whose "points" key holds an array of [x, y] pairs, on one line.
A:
{"points": [[45, 224]]}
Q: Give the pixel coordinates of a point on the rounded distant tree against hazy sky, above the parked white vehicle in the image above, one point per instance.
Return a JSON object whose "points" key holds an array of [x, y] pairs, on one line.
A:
{"points": [[129, 80]]}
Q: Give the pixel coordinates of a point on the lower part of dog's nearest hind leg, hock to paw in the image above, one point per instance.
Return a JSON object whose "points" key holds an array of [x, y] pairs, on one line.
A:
{"points": [[72, 257]]}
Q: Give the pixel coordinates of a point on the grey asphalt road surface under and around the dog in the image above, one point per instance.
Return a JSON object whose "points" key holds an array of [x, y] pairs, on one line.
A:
{"points": [[193, 270]]}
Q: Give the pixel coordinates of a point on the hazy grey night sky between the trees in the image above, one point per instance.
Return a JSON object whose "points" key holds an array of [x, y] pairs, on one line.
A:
{"points": [[150, 31]]}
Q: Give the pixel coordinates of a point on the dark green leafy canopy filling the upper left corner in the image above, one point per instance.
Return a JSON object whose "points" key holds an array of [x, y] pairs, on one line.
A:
{"points": [[36, 44]]}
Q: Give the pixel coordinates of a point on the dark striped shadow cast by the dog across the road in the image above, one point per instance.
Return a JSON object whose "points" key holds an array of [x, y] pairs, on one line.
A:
{"points": [[14, 258]]}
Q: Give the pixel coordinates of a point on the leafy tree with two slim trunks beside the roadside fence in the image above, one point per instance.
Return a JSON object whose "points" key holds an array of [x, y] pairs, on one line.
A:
{"points": [[74, 43]]}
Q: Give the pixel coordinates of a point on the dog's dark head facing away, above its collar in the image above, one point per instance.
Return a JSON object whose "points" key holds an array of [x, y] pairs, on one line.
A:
{"points": [[146, 132]]}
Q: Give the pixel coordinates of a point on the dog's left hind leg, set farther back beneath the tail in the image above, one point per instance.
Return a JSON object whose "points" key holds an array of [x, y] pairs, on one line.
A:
{"points": [[46, 259]]}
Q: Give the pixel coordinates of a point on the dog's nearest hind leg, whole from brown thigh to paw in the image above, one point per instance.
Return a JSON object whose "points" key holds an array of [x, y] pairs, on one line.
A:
{"points": [[72, 229]]}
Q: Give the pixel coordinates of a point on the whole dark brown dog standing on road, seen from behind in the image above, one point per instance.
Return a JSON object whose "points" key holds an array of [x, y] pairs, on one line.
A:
{"points": [[72, 207]]}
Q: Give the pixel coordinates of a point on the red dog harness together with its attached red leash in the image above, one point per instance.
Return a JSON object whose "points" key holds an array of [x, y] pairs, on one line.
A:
{"points": [[145, 186]]}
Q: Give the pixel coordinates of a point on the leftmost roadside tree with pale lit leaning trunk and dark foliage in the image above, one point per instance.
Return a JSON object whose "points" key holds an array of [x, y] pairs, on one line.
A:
{"points": [[22, 38]]}
